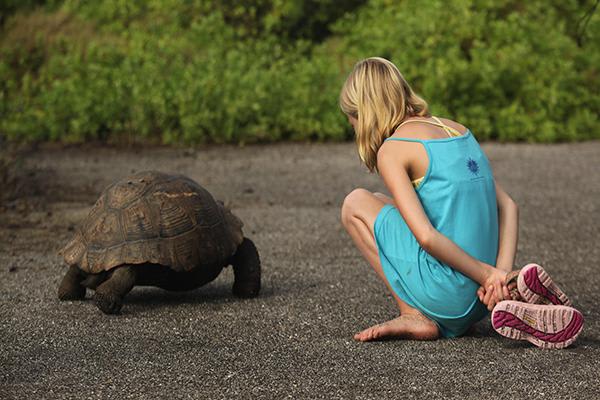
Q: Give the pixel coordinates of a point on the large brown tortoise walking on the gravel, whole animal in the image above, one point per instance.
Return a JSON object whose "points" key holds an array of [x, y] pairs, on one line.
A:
{"points": [[156, 229]]}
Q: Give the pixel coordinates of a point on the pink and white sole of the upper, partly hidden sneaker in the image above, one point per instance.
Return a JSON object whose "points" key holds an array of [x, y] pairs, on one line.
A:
{"points": [[536, 287]]}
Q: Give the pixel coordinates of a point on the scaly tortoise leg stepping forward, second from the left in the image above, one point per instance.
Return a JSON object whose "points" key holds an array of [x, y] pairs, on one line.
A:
{"points": [[109, 295]]}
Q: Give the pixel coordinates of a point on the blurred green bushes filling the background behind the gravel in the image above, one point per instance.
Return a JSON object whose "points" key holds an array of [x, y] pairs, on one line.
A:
{"points": [[183, 71]]}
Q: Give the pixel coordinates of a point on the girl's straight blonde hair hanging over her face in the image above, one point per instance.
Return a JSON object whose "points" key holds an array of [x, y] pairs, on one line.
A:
{"points": [[378, 96]]}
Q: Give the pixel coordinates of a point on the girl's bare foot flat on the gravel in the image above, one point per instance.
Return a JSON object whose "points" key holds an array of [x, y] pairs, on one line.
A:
{"points": [[407, 326]]}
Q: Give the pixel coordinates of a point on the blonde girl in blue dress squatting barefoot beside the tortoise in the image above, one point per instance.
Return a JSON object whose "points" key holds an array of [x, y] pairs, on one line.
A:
{"points": [[446, 239]]}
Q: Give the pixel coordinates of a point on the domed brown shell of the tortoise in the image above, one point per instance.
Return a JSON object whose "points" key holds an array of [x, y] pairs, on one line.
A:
{"points": [[152, 217]]}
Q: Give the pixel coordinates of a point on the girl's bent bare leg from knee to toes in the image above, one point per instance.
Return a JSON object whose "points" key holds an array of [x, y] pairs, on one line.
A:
{"points": [[359, 212]]}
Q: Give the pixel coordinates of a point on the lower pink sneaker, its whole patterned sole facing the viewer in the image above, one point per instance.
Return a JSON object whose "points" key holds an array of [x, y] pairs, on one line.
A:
{"points": [[546, 326]]}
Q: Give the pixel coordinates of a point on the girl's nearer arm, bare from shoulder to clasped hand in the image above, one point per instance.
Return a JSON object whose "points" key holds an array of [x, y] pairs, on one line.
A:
{"points": [[393, 166]]}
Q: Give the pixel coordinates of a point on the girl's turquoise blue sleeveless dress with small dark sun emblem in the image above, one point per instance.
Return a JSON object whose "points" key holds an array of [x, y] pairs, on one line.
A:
{"points": [[458, 195]]}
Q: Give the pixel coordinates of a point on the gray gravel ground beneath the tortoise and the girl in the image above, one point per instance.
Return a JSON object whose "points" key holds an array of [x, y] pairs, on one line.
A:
{"points": [[295, 340]]}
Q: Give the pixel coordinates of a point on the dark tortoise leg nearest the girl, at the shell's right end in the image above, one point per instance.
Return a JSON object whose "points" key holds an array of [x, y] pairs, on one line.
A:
{"points": [[246, 268]]}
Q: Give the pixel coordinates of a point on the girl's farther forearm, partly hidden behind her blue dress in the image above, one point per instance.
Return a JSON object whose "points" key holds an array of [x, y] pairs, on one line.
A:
{"points": [[508, 230]]}
